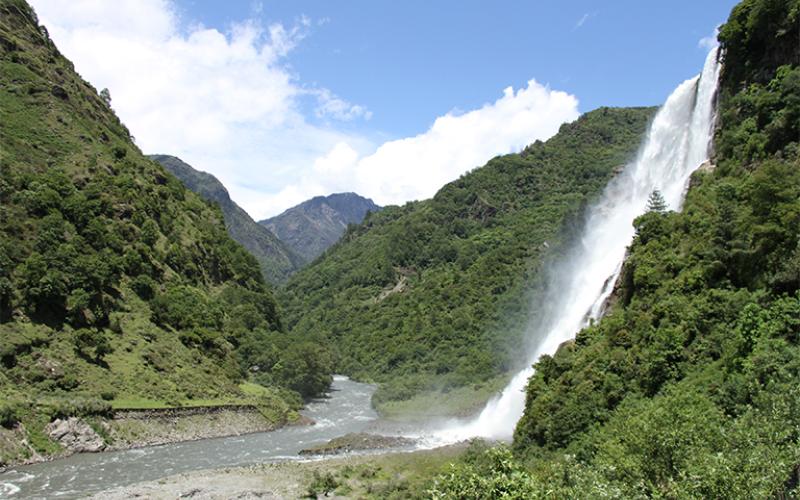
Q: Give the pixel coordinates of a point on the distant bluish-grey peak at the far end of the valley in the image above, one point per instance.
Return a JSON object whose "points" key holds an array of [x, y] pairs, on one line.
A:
{"points": [[313, 226]]}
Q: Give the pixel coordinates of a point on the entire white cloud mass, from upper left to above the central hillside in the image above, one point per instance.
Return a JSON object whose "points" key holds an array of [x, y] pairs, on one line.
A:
{"points": [[226, 103]]}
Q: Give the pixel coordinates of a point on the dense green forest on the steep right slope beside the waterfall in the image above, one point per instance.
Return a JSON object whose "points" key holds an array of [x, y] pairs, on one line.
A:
{"points": [[690, 387]]}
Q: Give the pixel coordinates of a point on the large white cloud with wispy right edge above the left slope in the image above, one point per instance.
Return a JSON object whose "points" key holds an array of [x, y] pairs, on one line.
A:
{"points": [[224, 101]]}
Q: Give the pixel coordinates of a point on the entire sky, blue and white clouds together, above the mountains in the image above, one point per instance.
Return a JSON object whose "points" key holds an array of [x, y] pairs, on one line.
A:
{"points": [[286, 100]]}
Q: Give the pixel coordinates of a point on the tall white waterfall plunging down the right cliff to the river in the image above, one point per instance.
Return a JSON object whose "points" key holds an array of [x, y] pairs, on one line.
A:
{"points": [[677, 142]]}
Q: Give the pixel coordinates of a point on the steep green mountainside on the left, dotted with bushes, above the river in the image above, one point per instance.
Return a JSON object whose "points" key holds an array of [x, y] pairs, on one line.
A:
{"points": [[118, 286]]}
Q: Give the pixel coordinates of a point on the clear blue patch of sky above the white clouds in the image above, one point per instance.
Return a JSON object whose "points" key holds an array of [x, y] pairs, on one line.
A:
{"points": [[411, 61]]}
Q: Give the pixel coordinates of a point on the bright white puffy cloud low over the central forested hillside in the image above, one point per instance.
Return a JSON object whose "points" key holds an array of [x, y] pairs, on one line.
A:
{"points": [[416, 167]]}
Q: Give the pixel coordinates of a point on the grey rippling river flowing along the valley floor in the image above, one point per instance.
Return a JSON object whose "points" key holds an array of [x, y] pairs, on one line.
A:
{"points": [[346, 409]]}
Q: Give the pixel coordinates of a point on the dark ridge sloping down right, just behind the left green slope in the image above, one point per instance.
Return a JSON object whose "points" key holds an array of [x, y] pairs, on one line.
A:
{"points": [[276, 260]]}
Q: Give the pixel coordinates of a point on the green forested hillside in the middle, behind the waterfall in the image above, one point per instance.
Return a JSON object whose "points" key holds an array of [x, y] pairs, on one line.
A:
{"points": [[431, 295]]}
